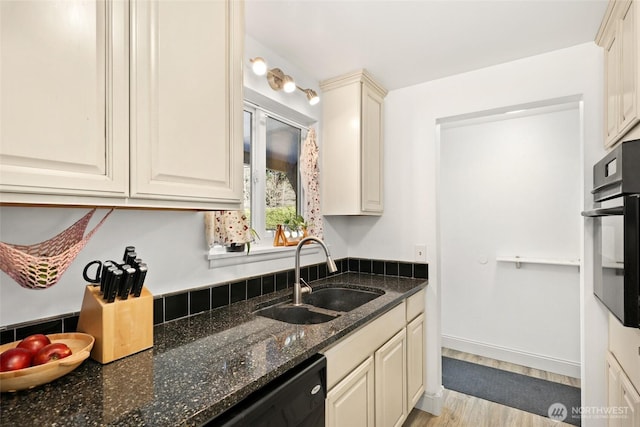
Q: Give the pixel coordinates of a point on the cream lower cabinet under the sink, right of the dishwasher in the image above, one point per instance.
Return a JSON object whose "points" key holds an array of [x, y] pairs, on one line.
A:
{"points": [[375, 374]]}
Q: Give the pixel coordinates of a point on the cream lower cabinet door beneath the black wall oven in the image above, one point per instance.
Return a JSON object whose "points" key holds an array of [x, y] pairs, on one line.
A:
{"points": [[623, 399]]}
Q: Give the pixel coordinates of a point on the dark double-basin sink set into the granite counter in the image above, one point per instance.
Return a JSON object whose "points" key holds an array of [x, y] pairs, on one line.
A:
{"points": [[321, 305]]}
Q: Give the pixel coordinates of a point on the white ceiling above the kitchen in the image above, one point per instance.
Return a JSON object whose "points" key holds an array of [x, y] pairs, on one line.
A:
{"points": [[407, 42]]}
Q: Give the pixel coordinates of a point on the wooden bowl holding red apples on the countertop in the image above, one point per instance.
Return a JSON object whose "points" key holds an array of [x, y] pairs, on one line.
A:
{"points": [[22, 379]]}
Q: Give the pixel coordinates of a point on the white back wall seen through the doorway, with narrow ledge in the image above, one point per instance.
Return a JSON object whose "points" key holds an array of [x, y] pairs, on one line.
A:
{"points": [[510, 184]]}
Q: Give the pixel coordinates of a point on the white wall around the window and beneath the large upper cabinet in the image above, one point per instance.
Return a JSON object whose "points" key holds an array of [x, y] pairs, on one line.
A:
{"points": [[172, 242]]}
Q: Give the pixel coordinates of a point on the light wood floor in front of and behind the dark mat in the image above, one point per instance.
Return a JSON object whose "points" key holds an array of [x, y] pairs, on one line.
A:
{"points": [[461, 410]]}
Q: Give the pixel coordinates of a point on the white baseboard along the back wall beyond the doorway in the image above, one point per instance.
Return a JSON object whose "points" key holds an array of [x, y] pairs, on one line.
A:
{"points": [[532, 360]]}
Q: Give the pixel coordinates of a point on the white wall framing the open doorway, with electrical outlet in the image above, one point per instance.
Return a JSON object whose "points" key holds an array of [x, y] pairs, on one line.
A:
{"points": [[411, 153]]}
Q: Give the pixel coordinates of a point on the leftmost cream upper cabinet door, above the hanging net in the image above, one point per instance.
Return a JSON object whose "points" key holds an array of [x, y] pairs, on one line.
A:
{"points": [[64, 100]]}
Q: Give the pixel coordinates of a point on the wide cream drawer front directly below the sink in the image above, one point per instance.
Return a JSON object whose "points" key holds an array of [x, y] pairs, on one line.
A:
{"points": [[344, 356]]}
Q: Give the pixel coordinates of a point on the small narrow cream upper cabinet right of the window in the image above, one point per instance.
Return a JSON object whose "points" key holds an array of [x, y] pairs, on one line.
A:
{"points": [[352, 145]]}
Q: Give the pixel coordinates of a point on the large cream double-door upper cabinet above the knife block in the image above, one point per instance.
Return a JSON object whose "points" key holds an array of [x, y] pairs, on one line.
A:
{"points": [[122, 103]]}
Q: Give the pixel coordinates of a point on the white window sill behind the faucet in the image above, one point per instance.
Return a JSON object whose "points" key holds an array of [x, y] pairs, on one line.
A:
{"points": [[219, 258]]}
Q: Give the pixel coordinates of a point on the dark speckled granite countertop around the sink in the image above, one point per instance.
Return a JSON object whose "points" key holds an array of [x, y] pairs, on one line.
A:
{"points": [[199, 366]]}
